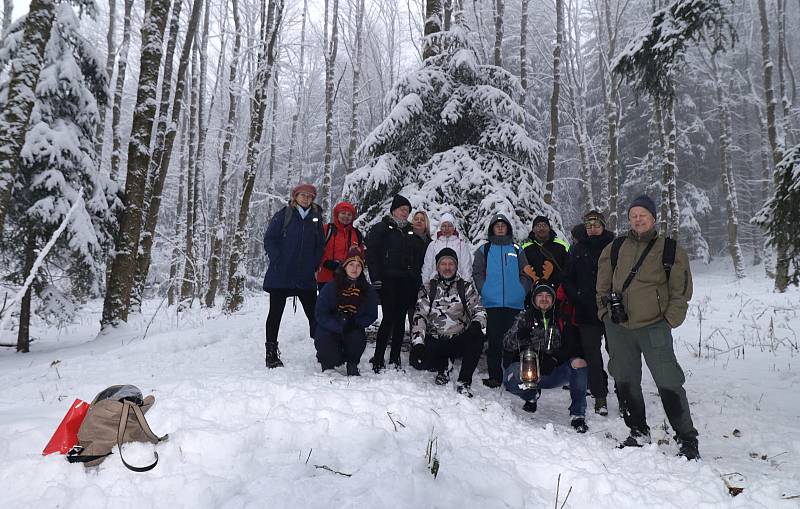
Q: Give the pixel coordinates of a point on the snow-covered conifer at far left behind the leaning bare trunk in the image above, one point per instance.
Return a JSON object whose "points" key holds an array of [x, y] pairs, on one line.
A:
{"points": [[57, 160]]}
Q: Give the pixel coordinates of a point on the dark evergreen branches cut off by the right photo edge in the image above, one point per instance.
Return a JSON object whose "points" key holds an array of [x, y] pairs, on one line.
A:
{"points": [[778, 216]]}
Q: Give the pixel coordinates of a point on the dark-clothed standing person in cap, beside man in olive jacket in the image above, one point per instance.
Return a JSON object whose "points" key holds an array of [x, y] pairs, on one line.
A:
{"points": [[579, 280]]}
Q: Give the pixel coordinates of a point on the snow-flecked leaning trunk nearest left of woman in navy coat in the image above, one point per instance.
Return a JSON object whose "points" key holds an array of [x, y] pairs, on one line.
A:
{"points": [[266, 58]]}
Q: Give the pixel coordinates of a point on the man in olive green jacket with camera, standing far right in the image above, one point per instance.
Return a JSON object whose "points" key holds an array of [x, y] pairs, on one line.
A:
{"points": [[654, 305]]}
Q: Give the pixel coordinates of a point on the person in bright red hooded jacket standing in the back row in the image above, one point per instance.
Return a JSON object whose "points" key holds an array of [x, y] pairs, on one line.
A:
{"points": [[340, 236]]}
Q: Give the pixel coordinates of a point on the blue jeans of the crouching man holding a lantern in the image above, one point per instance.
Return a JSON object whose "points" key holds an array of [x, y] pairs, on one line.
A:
{"points": [[564, 373]]}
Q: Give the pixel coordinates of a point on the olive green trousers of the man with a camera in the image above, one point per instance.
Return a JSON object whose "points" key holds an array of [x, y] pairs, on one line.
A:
{"points": [[654, 342]]}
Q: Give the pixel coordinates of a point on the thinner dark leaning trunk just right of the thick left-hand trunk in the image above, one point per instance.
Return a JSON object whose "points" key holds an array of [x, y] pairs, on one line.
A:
{"points": [[163, 154]]}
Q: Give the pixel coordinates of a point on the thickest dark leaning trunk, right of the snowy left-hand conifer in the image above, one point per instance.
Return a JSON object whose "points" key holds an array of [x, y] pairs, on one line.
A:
{"points": [[120, 282]]}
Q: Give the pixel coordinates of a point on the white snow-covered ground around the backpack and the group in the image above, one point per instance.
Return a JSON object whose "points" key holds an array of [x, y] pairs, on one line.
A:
{"points": [[242, 436]]}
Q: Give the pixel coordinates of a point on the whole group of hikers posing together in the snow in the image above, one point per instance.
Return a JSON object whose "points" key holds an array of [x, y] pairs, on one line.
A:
{"points": [[543, 295]]}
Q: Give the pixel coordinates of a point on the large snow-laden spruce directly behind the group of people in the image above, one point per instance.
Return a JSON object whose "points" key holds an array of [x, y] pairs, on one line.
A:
{"points": [[453, 141]]}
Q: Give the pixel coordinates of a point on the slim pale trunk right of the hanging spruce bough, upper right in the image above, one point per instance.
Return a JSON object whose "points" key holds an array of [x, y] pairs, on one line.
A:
{"points": [[726, 173]]}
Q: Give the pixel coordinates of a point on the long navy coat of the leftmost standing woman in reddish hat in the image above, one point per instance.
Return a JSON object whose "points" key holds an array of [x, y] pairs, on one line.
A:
{"points": [[294, 254]]}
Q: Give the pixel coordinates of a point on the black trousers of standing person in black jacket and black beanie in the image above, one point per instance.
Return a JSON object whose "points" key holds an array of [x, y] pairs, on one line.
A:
{"points": [[397, 296]]}
